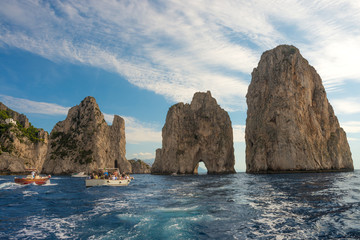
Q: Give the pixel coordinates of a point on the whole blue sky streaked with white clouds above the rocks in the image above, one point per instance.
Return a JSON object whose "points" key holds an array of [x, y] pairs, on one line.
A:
{"points": [[137, 58]]}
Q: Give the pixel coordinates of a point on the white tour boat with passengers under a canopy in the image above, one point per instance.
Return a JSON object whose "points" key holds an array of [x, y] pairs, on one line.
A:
{"points": [[120, 181]]}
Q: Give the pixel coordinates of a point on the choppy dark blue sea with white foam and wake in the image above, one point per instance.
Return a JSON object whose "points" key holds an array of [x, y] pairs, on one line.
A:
{"points": [[235, 206]]}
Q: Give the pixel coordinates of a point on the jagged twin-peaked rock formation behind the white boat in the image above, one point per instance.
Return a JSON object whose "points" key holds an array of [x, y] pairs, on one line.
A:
{"points": [[85, 142]]}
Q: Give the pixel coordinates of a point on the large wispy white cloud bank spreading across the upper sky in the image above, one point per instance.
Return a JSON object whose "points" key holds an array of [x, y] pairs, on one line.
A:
{"points": [[176, 48]]}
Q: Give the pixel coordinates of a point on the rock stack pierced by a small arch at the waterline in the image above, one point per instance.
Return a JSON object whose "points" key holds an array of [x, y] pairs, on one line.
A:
{"points": [[193, 133]]}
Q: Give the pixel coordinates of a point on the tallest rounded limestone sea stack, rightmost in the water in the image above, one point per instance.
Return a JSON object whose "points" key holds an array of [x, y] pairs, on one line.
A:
{"points": [[290, 124]]}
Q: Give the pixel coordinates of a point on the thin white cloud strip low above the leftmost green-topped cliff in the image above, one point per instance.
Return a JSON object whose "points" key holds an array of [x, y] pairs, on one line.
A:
{"points": [[27, 106]]}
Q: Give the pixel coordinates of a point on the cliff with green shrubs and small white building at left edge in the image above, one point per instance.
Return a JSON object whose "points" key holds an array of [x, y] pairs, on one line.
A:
{"points": [[21, 145]]}
